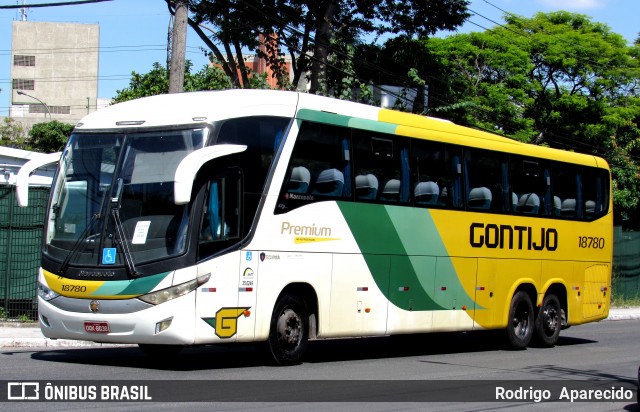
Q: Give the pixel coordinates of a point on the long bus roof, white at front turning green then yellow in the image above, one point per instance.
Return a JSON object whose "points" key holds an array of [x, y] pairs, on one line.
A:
{"points": [[195, 108]]}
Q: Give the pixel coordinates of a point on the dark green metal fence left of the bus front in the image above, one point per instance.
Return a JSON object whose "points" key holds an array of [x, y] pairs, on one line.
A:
{"points": [[21, 232]]}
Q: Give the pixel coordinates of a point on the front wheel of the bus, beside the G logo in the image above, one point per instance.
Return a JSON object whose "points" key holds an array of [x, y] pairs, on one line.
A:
{"points": [[289, 332]]}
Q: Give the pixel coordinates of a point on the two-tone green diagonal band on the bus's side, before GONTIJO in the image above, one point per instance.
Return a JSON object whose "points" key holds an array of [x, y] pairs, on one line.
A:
{"points": [[411, 241]]}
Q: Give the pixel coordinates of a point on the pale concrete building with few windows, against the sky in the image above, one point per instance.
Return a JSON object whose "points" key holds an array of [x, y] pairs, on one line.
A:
{"points": [[54, 71]]}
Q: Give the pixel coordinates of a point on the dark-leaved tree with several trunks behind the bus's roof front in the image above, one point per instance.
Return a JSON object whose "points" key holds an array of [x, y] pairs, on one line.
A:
{"points": [[312, 32]]}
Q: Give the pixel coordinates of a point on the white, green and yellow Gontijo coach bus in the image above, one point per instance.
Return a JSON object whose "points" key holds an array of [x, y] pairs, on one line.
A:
{"points": [[280, 217]]}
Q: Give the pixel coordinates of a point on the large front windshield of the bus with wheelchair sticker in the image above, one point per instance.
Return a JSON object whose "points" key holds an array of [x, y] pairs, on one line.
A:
{"points": [[112, 200]]}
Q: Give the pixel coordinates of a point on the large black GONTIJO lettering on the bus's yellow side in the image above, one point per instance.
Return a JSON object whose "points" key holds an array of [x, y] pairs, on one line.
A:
{"points": [[494, 236]]}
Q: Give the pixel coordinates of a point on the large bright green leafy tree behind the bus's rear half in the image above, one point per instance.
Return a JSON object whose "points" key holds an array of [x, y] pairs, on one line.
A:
{"points": [[557, 79]]}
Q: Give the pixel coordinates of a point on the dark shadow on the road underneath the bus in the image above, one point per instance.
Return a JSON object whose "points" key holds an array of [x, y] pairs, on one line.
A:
{"points": [[322, 351]]}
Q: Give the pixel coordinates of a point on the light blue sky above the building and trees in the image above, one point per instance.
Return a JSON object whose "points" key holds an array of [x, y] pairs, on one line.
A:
{"points": [[133, 33]]}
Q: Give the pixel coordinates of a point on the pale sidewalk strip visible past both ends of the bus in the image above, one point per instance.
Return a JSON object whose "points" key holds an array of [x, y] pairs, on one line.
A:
{"points": [[28, 335]]}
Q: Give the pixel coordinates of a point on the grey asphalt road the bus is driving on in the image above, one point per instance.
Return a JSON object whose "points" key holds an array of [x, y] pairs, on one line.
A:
{"points": [[452, 368]]}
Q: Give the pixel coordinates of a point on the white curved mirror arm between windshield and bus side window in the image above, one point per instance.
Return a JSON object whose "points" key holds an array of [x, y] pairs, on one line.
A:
{"points": [[191, 164]]}
